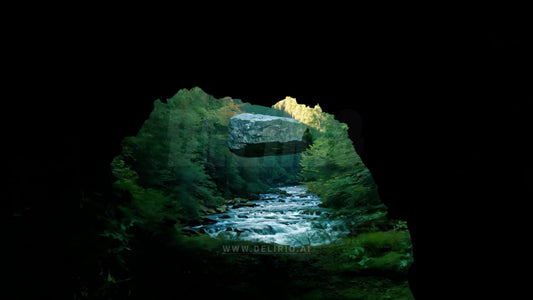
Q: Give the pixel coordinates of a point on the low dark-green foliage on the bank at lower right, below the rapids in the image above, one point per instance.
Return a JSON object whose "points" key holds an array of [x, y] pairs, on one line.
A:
{"points": [[346, 270]]}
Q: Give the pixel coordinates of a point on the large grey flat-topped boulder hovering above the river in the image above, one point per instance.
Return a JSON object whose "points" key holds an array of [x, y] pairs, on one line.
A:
{"points": [[261, 135]]}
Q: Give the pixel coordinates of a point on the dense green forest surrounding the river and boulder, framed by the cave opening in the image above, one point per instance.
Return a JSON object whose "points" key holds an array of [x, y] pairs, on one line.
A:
{"points": [[178, 168]]}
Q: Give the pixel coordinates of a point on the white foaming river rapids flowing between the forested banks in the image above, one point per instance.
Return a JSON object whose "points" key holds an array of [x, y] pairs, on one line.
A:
{"points": [[291, 217]]}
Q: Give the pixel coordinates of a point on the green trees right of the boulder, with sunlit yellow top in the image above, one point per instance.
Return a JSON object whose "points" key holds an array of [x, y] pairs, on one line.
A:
{"points": [[330, 167]]}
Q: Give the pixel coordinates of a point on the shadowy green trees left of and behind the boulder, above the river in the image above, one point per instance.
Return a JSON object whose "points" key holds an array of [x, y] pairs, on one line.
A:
{"points": [[179, 160]]}
